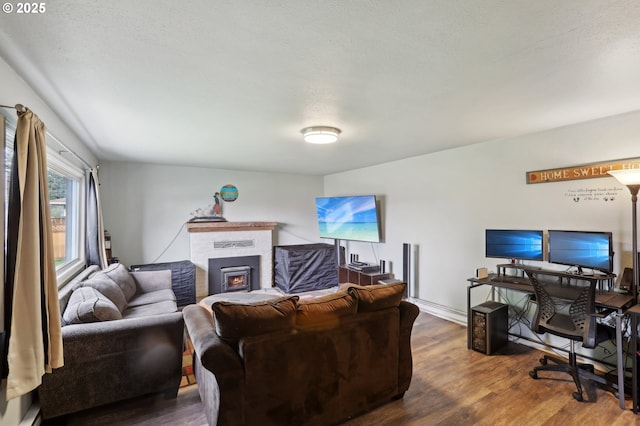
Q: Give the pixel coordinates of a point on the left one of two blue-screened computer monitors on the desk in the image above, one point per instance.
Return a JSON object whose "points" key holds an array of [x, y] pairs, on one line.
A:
{"points": [[517, 244]]}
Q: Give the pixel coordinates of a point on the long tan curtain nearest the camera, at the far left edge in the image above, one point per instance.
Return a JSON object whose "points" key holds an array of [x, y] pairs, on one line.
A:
{"points": [[35, 341]]}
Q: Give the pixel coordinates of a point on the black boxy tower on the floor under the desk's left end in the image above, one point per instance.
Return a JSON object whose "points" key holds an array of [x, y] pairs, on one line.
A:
{"points": [[489, 327]]}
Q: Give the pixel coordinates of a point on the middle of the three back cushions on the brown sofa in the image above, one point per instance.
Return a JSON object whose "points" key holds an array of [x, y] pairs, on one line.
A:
{"points": [[325, 311]]}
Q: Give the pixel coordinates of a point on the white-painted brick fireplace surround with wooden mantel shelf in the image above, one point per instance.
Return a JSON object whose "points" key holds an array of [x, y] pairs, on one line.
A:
{"points": [[208, 240]]}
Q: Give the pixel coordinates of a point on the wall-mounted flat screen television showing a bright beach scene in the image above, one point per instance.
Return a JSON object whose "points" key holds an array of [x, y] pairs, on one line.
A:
{"points": [[349, 218]]}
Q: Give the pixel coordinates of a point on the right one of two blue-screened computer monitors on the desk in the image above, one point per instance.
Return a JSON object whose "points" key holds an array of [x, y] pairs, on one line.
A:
{"points": [[582, 249]]}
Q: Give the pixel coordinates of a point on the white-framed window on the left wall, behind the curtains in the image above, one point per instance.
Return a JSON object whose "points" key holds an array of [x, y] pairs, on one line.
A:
{"points": [[66, 204]]}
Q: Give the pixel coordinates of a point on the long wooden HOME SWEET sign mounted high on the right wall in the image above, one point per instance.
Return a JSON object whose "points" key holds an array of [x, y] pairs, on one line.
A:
{"points": [[587, 171]]}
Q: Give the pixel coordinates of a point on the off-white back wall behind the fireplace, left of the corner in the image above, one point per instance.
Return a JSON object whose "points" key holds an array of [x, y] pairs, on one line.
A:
{"points": [[145, 206]]}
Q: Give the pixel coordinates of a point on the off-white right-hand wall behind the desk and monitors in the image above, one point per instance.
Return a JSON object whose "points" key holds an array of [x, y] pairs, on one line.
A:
{"points": [[443, 202]]}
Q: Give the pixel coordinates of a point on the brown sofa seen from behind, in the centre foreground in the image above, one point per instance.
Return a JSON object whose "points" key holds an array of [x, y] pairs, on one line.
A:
{"points": [[305, 362]]}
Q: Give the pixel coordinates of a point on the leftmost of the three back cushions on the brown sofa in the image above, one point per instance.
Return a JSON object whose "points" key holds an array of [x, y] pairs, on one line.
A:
{"points": [[235, 320]]}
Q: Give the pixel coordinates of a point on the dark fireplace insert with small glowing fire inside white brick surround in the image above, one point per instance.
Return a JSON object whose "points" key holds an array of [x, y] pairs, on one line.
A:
{"points": [[240, 273]]}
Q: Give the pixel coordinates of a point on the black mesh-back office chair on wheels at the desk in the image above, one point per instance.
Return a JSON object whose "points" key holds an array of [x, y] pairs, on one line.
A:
{"points": [[578, 325]]}
